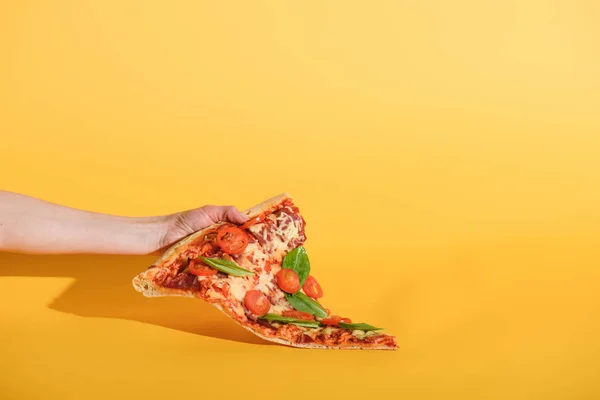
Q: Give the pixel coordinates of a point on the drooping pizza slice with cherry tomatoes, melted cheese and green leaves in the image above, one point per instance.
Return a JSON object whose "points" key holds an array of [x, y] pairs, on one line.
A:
{"points": [[259, 275]]}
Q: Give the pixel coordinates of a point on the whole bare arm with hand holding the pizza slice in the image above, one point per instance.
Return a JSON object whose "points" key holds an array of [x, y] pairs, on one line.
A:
{"points": [[35, 226]]}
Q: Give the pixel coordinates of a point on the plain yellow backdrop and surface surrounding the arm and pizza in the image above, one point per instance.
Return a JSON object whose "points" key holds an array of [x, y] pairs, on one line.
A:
{"points": [[445, 154]]}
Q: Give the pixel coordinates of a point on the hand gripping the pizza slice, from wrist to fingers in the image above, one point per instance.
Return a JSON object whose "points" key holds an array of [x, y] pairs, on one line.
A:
{"points": [[185, 223]]}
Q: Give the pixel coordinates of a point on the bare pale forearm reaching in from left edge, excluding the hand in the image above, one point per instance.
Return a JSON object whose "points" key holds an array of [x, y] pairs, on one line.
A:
{"points": [[29, 225]]}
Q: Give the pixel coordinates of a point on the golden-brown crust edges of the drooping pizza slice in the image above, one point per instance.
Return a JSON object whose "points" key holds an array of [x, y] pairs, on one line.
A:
{"points": [[143, 282]]}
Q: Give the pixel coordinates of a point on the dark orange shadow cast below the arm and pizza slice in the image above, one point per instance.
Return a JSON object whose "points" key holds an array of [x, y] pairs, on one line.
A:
{"points": [[103, 289]]}
